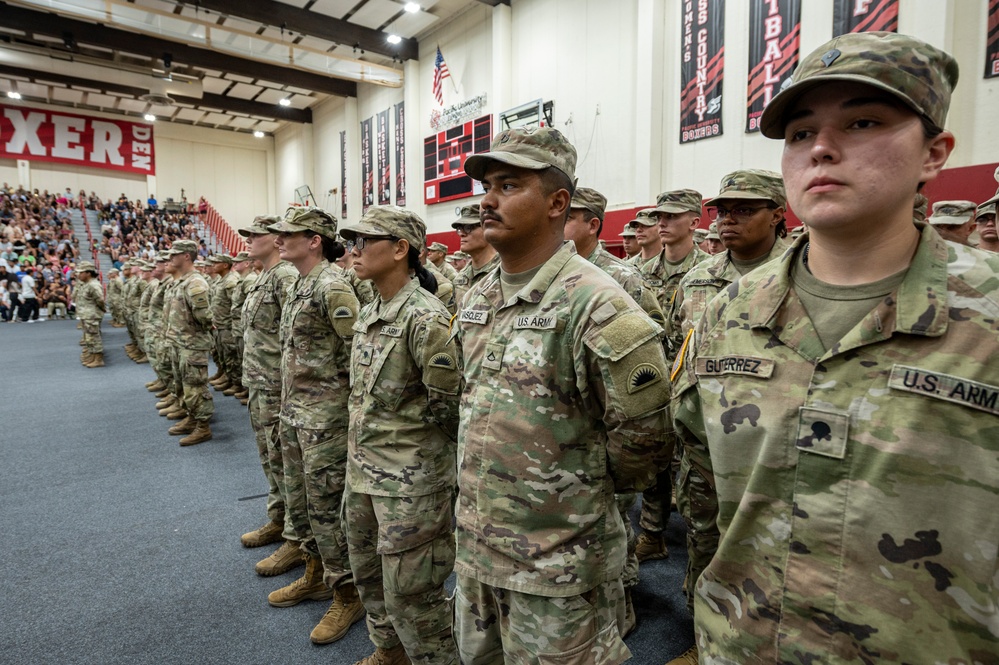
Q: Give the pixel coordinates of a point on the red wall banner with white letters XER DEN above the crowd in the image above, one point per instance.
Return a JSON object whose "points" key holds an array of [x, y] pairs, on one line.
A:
{"points": [[67, 138]]}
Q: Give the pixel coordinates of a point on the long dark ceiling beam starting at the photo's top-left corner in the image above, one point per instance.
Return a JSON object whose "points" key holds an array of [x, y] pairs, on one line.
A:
{"points": [[96, 34]]}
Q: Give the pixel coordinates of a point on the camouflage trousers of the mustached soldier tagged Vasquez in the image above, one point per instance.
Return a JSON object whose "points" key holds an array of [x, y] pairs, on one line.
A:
{"points": [[494, 626]]}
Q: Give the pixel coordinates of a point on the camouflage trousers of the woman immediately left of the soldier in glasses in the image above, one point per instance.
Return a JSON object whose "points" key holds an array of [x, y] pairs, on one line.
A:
{"points": [[315, 470]]}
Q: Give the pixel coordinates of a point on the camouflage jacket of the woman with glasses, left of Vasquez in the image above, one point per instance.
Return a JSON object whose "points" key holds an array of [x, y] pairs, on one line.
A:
{"points": [[405, 381]]}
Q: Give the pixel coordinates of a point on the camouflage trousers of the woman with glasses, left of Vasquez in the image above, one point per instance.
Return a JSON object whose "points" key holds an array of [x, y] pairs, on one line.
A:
{"points": [[401, 552]]}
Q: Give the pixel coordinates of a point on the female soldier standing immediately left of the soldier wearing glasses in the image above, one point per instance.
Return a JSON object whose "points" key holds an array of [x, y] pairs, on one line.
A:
{"points": [[316, 334]]}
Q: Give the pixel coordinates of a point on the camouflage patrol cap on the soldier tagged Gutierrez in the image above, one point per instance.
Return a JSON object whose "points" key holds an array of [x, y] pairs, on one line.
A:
{"points": [[919, 75]]}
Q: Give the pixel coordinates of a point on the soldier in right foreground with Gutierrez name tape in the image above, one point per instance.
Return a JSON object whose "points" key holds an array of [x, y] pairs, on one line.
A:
{"points": [[842, 401]]}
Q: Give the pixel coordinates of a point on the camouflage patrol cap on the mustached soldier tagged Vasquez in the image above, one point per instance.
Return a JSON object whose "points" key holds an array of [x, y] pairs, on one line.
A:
{"points": [[533, 148]]}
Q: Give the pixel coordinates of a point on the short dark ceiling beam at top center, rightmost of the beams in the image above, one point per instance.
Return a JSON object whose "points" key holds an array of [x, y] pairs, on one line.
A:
{"points": [[307, 22]]}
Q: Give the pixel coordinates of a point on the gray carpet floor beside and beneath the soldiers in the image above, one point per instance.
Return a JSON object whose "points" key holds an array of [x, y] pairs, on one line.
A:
{"points": [[121, 547]]}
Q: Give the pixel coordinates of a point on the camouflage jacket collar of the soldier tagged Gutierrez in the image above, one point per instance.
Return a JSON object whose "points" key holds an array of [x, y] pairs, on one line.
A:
{"points": [[921, 304]]}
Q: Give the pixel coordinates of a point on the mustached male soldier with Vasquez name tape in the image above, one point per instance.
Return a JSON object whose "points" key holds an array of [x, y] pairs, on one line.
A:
{"points": [[564, 405]]}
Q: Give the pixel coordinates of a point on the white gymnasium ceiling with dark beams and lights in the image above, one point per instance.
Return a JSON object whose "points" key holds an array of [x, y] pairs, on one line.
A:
{"points": [[225, 64]]}
